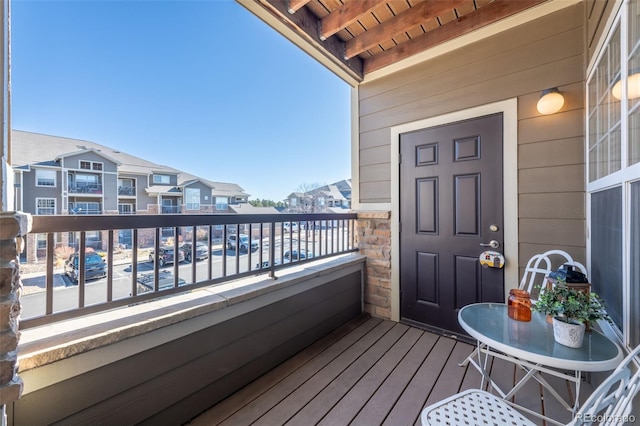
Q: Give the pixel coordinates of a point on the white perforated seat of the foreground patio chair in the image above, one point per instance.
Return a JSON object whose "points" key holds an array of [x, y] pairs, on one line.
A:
{"points": [[473, 407]]}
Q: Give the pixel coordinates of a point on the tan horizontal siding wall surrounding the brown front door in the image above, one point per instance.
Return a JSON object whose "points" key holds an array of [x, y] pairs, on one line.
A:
{"points": [[518, 63]]}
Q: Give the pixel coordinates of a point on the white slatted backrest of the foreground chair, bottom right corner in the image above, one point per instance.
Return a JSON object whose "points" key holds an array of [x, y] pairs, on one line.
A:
{"points": [[611, 402]]}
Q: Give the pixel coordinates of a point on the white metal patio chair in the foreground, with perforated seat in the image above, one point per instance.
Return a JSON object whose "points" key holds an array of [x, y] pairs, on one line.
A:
{"points": [[609, 404]]}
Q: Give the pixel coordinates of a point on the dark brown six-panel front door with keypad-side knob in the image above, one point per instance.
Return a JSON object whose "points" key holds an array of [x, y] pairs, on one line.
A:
{"points": [[451, 203]]}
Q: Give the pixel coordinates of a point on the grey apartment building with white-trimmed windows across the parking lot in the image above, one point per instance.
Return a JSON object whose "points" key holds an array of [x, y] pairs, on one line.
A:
{"points": [[62, 176]]}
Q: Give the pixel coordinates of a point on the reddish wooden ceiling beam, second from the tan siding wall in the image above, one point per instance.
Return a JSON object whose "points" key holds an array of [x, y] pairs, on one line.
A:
{"points": [[406, 20]]}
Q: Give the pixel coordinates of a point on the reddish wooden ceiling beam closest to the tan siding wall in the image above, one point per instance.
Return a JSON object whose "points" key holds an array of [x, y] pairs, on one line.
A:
{"points": [[488, 14]]}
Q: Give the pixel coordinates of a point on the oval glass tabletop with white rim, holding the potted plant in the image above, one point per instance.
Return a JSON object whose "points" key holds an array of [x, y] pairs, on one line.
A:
{"points": [[490, 324]]}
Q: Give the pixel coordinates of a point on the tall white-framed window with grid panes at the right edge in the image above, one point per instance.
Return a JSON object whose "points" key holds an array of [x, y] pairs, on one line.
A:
{"points": [[613, 155]]}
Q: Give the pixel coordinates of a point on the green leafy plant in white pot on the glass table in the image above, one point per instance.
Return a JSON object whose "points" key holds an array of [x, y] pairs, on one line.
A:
{"points": [[570, 309]]}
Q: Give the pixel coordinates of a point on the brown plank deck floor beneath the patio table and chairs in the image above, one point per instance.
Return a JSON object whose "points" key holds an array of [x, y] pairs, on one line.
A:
{"points": [[369, 372]]}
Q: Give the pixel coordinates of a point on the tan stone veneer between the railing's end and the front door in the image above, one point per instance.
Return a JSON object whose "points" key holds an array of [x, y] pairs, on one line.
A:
{"points": [[374, 241]]}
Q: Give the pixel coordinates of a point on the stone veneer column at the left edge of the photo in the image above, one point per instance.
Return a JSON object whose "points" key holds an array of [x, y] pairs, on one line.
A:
{"points": [[13, 227]]}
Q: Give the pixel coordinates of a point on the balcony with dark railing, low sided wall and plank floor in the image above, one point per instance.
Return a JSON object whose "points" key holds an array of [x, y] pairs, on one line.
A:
{"points": [[226, 339]]}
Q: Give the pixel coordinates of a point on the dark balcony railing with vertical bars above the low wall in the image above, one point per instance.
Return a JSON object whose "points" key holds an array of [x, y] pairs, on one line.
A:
{"points": [[146, 269]]}
